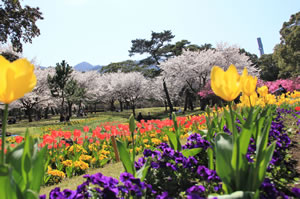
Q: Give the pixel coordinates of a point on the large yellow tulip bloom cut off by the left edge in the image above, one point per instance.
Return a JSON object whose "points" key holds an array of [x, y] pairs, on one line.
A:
{"points": [[16, 79]]}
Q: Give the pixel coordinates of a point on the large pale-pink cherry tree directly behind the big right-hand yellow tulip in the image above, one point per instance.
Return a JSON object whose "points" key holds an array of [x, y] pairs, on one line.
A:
{"points": [[191, 70]]}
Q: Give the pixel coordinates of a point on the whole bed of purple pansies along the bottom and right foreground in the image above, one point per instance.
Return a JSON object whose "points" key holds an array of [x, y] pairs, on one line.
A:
{"points": [[172, 175]]}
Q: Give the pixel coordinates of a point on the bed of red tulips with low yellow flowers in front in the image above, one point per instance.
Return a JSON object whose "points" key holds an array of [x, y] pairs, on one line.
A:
{"points": [[72, 153]]}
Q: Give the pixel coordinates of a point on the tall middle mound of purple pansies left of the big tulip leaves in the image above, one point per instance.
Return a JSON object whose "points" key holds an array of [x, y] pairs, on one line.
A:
{"points": [[168, 167]]}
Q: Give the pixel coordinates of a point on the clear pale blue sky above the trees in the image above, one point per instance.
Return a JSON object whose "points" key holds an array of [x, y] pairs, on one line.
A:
{"points": [[100, 31]]}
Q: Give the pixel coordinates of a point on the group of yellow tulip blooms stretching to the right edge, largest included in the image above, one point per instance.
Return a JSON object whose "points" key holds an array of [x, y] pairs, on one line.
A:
{"points": [[228, 85]]}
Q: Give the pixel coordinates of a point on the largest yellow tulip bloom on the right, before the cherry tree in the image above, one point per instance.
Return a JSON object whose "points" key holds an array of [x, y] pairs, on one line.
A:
{"points": [[226, 85]]}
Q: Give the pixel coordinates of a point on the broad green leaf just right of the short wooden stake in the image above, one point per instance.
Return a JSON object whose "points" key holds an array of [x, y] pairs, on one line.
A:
{"points": [[125, 158]]}
